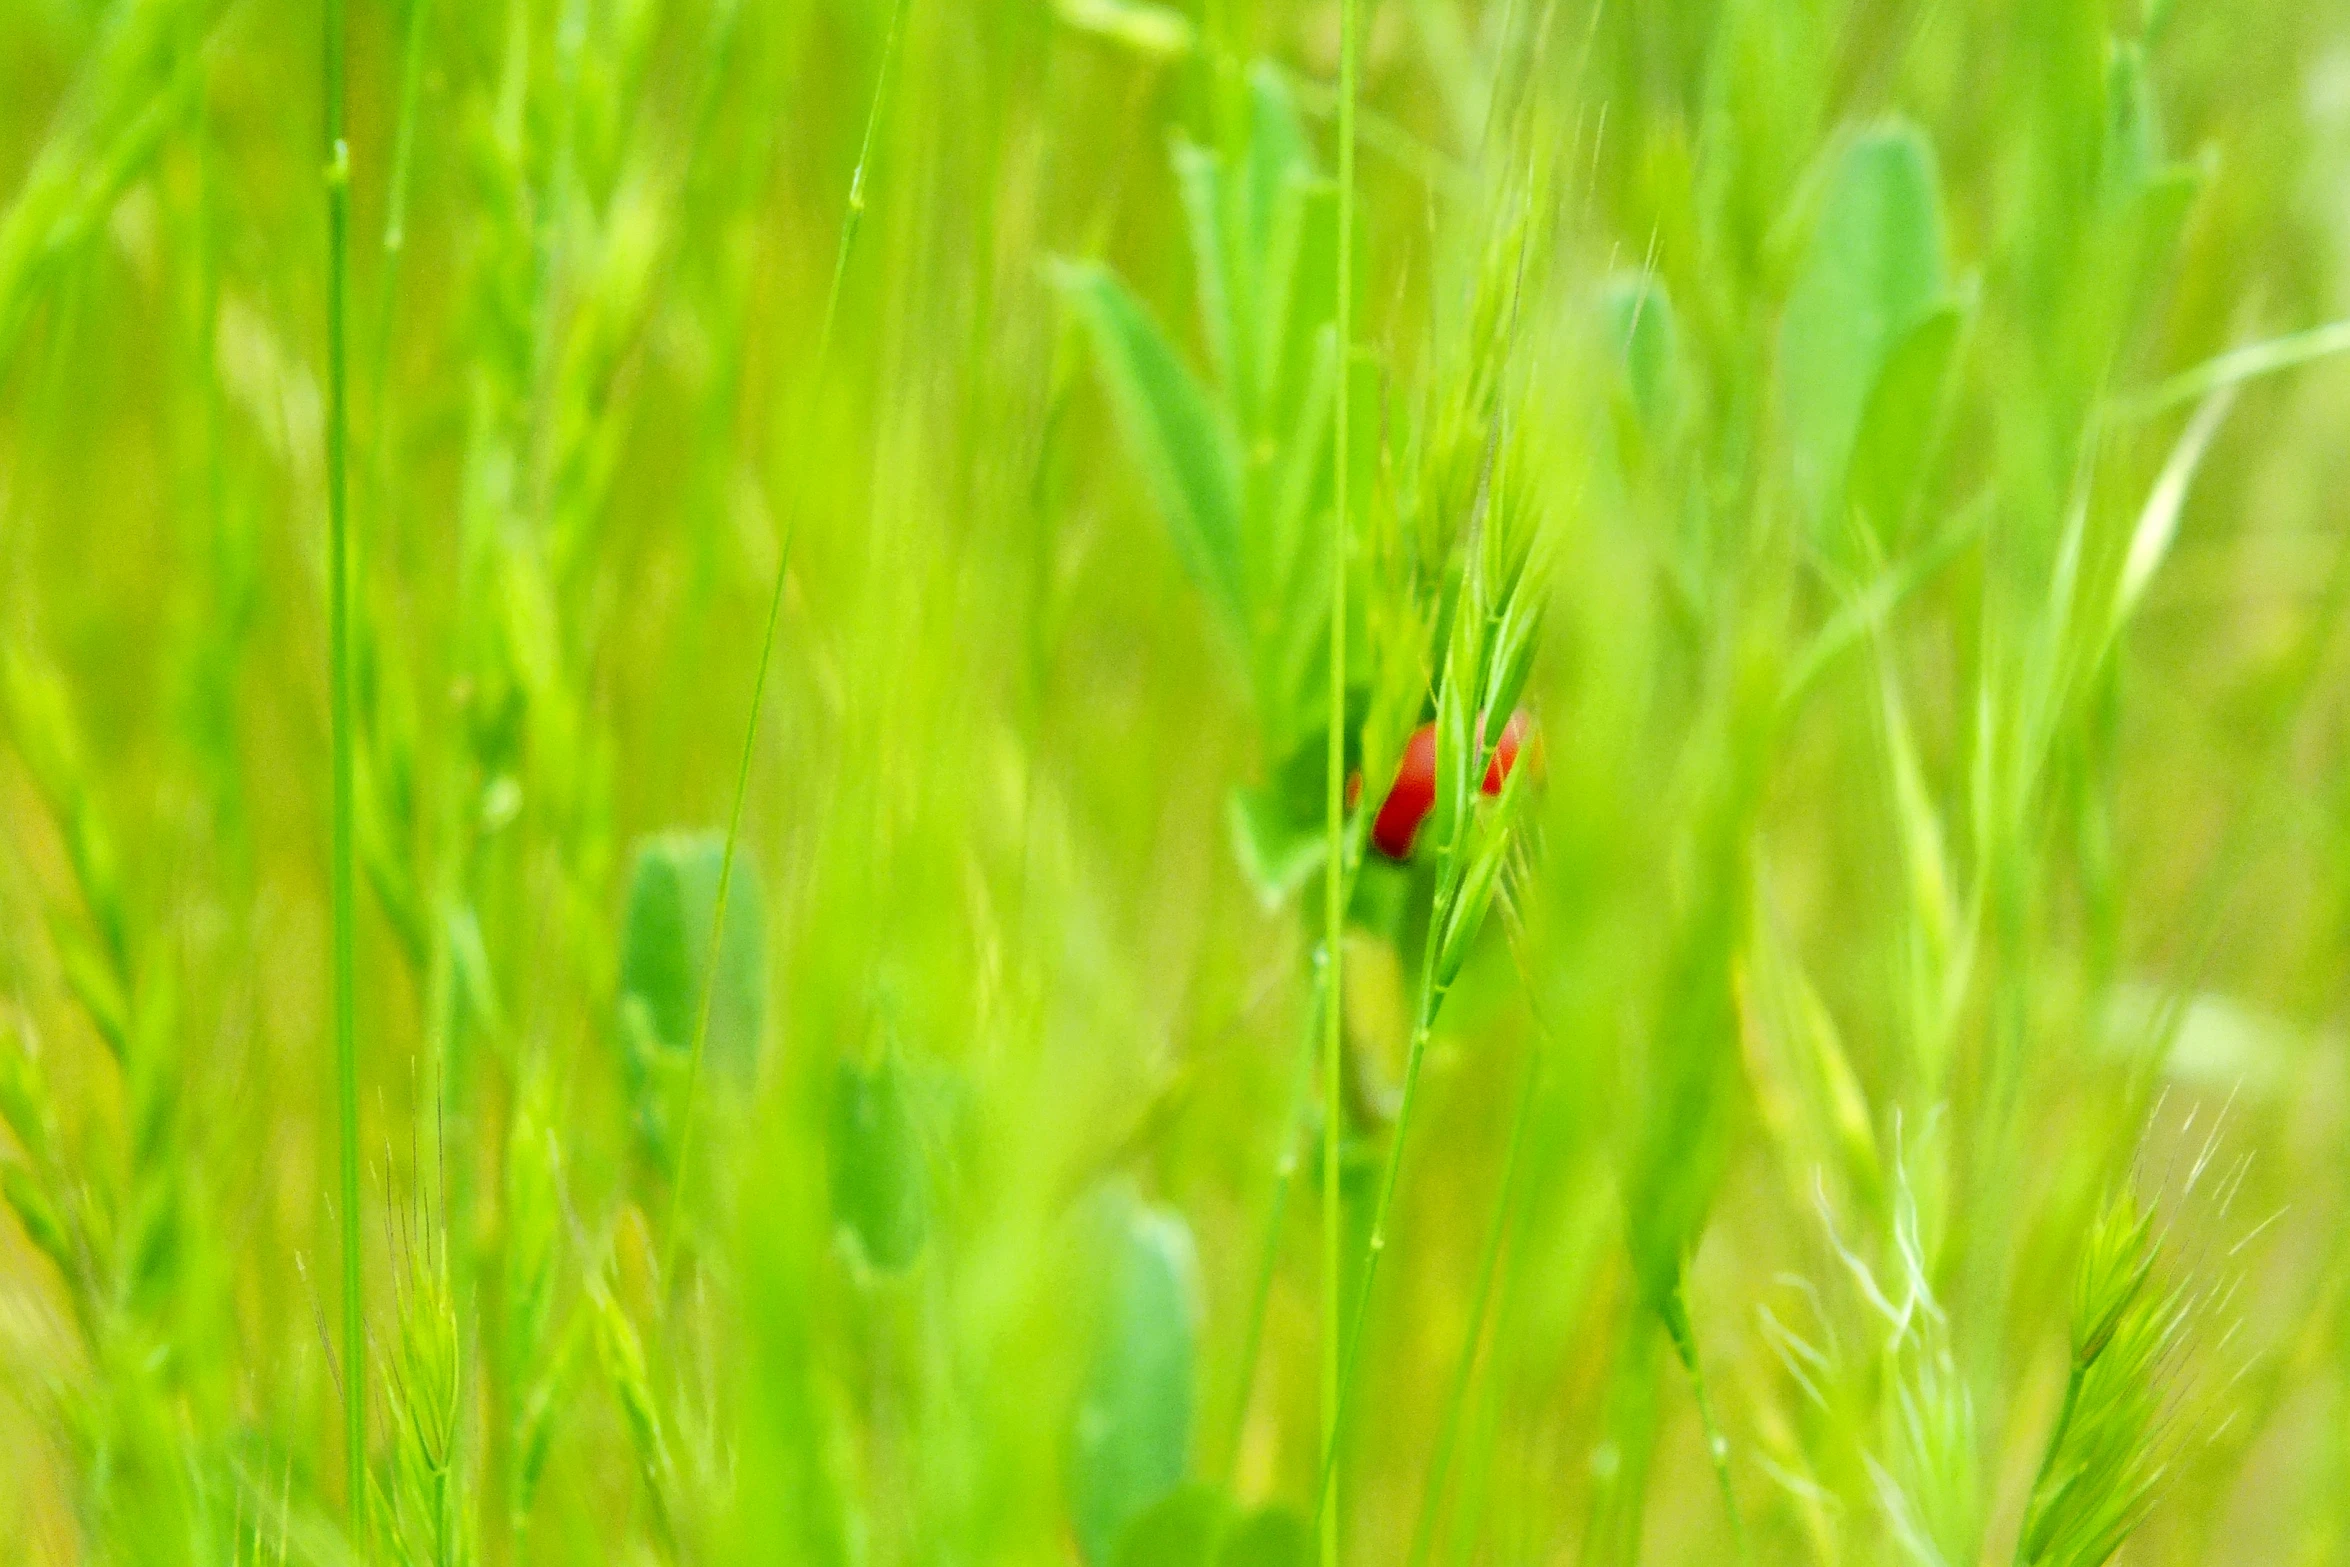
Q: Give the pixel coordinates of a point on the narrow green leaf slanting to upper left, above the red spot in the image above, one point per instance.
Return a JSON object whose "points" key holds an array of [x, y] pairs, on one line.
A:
{"points": [[1183, 445]]}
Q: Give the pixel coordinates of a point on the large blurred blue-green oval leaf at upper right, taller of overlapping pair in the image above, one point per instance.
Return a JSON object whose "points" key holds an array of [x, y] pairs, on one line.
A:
{"points": [[1874, 269]]}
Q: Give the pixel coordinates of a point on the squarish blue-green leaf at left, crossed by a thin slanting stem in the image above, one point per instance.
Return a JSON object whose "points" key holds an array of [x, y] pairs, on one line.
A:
{"points": [[666, 950]]}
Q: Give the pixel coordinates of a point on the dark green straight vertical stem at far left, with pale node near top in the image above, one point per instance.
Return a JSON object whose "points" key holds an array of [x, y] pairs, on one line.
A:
{"points": [[347, 1047]]}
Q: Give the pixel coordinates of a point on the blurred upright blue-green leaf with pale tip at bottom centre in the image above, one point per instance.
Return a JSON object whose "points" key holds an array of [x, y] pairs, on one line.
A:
{"points": [[1134, 1420]]}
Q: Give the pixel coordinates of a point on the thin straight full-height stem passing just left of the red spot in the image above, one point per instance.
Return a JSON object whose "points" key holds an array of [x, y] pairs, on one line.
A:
{"points": [[1336, 805]]}
